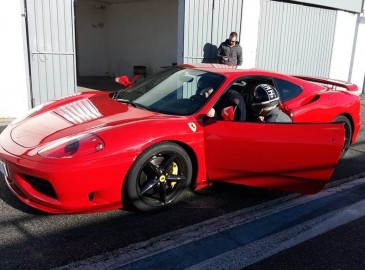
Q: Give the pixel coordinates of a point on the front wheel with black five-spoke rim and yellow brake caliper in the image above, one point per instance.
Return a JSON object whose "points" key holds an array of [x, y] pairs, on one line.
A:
{"points": [[158, 177]]}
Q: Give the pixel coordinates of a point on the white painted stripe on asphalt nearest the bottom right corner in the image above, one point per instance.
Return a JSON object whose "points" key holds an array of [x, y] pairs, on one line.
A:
{"points": [[275, 243]]}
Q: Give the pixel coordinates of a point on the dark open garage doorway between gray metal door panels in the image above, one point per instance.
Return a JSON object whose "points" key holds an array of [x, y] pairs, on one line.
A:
{"points": [[121, 37]]}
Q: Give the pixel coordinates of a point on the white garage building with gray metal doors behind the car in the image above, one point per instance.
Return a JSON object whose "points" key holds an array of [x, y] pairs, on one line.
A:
{"points": [[48, 44]]}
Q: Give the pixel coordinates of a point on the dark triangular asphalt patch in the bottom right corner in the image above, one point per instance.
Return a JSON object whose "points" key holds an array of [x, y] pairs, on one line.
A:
{"points": [[340, 248]]}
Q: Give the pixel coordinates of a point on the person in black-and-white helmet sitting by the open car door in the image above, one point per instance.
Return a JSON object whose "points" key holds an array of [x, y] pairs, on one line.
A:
{"points": [[265, 105]]}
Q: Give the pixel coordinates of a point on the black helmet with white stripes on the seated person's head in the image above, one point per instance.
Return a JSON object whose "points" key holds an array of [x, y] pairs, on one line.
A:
{"points": [[265, 96]]}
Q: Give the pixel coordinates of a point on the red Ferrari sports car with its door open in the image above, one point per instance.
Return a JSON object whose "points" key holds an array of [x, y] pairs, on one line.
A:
{"points": [[143, 146]]}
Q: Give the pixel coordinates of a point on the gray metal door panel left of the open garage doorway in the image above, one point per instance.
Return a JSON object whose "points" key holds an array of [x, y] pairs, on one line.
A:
{"points": [[52, 49]]}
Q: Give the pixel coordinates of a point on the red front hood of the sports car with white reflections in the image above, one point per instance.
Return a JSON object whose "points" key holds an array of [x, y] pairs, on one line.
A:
{"points": [[74, 115]]}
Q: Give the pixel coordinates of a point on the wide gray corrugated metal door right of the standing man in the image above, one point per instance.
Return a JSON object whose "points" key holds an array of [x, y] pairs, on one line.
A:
{"points": [[295, 39]]}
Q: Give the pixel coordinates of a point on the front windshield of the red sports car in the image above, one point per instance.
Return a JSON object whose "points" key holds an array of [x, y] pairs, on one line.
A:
{"points": [[174, 90]]}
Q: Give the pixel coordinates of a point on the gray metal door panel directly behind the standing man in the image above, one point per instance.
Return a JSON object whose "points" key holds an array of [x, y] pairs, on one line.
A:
{"points": [[207, 23]]}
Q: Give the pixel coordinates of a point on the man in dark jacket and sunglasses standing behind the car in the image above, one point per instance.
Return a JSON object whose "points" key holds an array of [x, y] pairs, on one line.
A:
{"points": [[230, 52]]}
